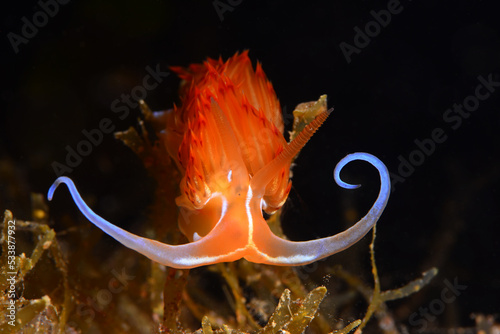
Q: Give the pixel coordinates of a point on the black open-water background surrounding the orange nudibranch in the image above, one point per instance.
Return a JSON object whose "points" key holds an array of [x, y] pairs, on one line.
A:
{"points": [[393, 92]]}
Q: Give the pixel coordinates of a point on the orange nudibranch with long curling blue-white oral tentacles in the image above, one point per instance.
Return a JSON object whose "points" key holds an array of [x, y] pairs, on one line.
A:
{"points": [[227, 140]]}
